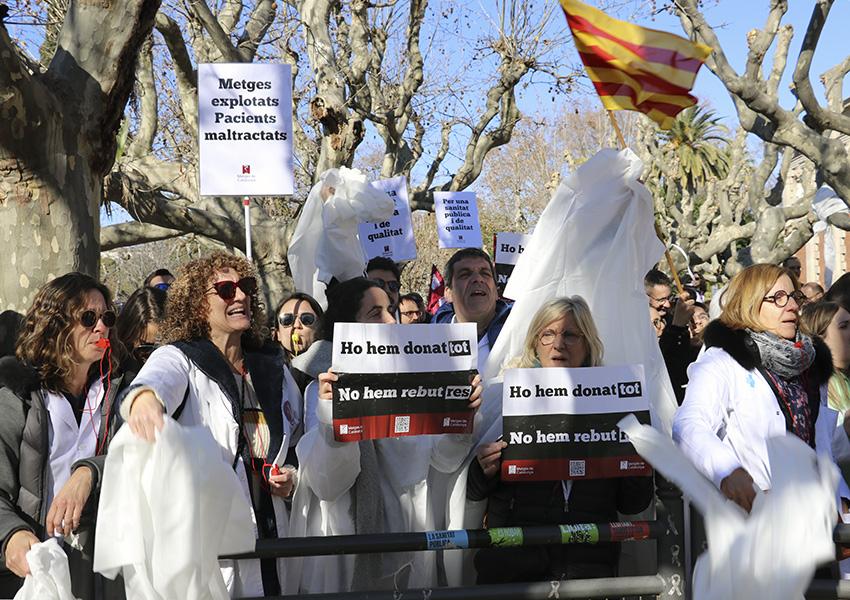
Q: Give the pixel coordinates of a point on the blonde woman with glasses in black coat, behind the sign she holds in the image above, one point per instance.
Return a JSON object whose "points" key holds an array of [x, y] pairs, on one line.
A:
{"points": [[561, 335]]}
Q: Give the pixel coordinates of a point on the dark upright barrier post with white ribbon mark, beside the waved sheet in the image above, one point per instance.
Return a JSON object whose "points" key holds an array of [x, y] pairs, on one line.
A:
{"points": [[671, 545]]}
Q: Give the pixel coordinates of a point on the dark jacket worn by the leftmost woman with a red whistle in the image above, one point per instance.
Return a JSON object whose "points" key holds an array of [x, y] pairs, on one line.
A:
{"points": [[24, 431]]}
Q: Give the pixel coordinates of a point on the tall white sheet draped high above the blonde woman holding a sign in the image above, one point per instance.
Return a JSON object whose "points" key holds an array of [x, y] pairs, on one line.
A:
{"points": [[596, 239]]}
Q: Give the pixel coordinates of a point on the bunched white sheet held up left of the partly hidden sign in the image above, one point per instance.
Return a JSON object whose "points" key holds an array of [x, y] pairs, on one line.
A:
{"points": [[325, 243]]}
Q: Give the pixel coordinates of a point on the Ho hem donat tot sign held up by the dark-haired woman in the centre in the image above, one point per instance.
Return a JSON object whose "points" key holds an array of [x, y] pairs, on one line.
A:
{"points": [[398, 380]]}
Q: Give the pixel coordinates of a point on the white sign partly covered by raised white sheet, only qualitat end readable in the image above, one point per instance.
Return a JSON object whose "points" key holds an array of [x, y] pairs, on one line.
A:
{"points": [[392, 238]]}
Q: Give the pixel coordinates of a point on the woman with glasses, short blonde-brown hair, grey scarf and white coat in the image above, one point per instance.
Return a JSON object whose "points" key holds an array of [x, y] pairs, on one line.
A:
{"points": [[759, 377]]}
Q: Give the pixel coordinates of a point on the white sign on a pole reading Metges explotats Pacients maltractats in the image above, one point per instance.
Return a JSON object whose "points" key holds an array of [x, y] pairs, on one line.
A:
{"points": [[245, 129]]}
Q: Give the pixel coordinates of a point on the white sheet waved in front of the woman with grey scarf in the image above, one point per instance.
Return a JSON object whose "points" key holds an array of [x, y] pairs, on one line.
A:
{"points": [[773, 552]]}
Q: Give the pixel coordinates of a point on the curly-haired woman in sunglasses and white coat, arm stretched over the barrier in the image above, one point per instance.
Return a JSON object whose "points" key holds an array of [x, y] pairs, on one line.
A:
{"points": [[214, 371]]}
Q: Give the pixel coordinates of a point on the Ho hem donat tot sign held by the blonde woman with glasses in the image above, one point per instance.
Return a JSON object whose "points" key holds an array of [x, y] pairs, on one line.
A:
{"points": [[562, 423]]}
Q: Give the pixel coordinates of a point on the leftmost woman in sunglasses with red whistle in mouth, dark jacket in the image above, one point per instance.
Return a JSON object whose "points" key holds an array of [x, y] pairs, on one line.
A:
{"points": [[57, 401]]}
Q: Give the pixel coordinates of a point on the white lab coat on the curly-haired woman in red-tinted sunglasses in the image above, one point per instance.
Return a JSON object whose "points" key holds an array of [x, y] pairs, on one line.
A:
{"points": [[167, 373]]}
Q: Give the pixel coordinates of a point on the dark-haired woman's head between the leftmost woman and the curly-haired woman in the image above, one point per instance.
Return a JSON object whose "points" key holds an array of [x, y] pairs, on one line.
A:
{"points": [[138, 324]]}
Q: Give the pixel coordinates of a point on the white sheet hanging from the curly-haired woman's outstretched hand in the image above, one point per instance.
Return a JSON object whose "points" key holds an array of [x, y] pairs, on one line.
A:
{"points": [[167, 511]]}
